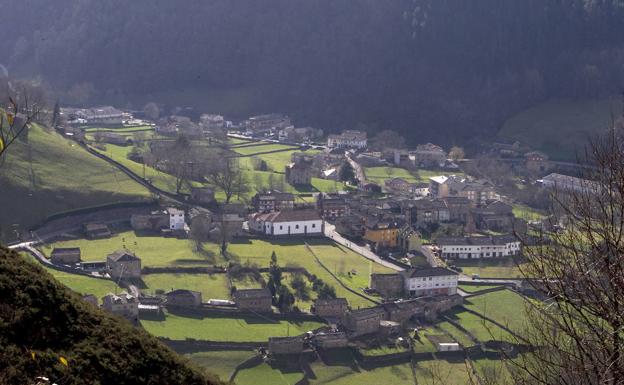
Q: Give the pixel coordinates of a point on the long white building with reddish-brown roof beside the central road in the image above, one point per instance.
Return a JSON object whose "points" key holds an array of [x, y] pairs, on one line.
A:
{"points": [[287, 223]]}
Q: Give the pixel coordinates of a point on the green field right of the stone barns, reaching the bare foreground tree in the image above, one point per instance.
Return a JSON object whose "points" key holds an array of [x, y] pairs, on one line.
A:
{"points": [[505, 307]]}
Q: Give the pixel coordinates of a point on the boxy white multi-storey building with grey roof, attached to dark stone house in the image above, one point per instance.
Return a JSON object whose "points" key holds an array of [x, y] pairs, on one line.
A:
{"points": [[430, 281]]}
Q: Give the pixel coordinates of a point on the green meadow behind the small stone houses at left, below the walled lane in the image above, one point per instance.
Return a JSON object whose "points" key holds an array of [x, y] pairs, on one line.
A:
{"points": [[153, 250]]}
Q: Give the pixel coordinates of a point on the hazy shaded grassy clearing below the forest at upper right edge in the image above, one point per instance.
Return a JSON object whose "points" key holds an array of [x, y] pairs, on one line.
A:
{"points": [[560, 127]]}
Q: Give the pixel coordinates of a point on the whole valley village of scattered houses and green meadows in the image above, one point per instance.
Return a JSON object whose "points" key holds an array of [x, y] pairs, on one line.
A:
{"points": [[290, 245]]}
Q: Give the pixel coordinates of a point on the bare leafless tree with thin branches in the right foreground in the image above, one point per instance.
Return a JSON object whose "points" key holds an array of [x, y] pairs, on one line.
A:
{"points": [[576, 334]]}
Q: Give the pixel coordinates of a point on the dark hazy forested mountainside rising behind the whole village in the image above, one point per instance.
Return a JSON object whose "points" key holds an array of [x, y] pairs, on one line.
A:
{"points": [[441, 70]]}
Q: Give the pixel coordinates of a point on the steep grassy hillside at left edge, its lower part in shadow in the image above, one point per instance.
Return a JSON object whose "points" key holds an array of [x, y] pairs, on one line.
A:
{"points": [[45, 173]]}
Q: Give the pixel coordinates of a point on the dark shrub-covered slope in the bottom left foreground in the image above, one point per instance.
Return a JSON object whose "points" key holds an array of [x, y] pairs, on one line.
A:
{"points": [[46, 330]]}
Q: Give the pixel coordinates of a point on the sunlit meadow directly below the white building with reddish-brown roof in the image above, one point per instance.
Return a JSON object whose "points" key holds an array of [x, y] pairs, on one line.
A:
{"points": [[292, 253]]}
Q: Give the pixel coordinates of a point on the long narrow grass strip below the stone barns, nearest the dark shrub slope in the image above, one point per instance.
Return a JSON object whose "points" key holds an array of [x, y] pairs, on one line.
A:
{"points": [[225, 328]]}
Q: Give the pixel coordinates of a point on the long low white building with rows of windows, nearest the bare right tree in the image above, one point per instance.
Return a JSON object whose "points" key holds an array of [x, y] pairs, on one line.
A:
{"points": [[479, 247]]}
